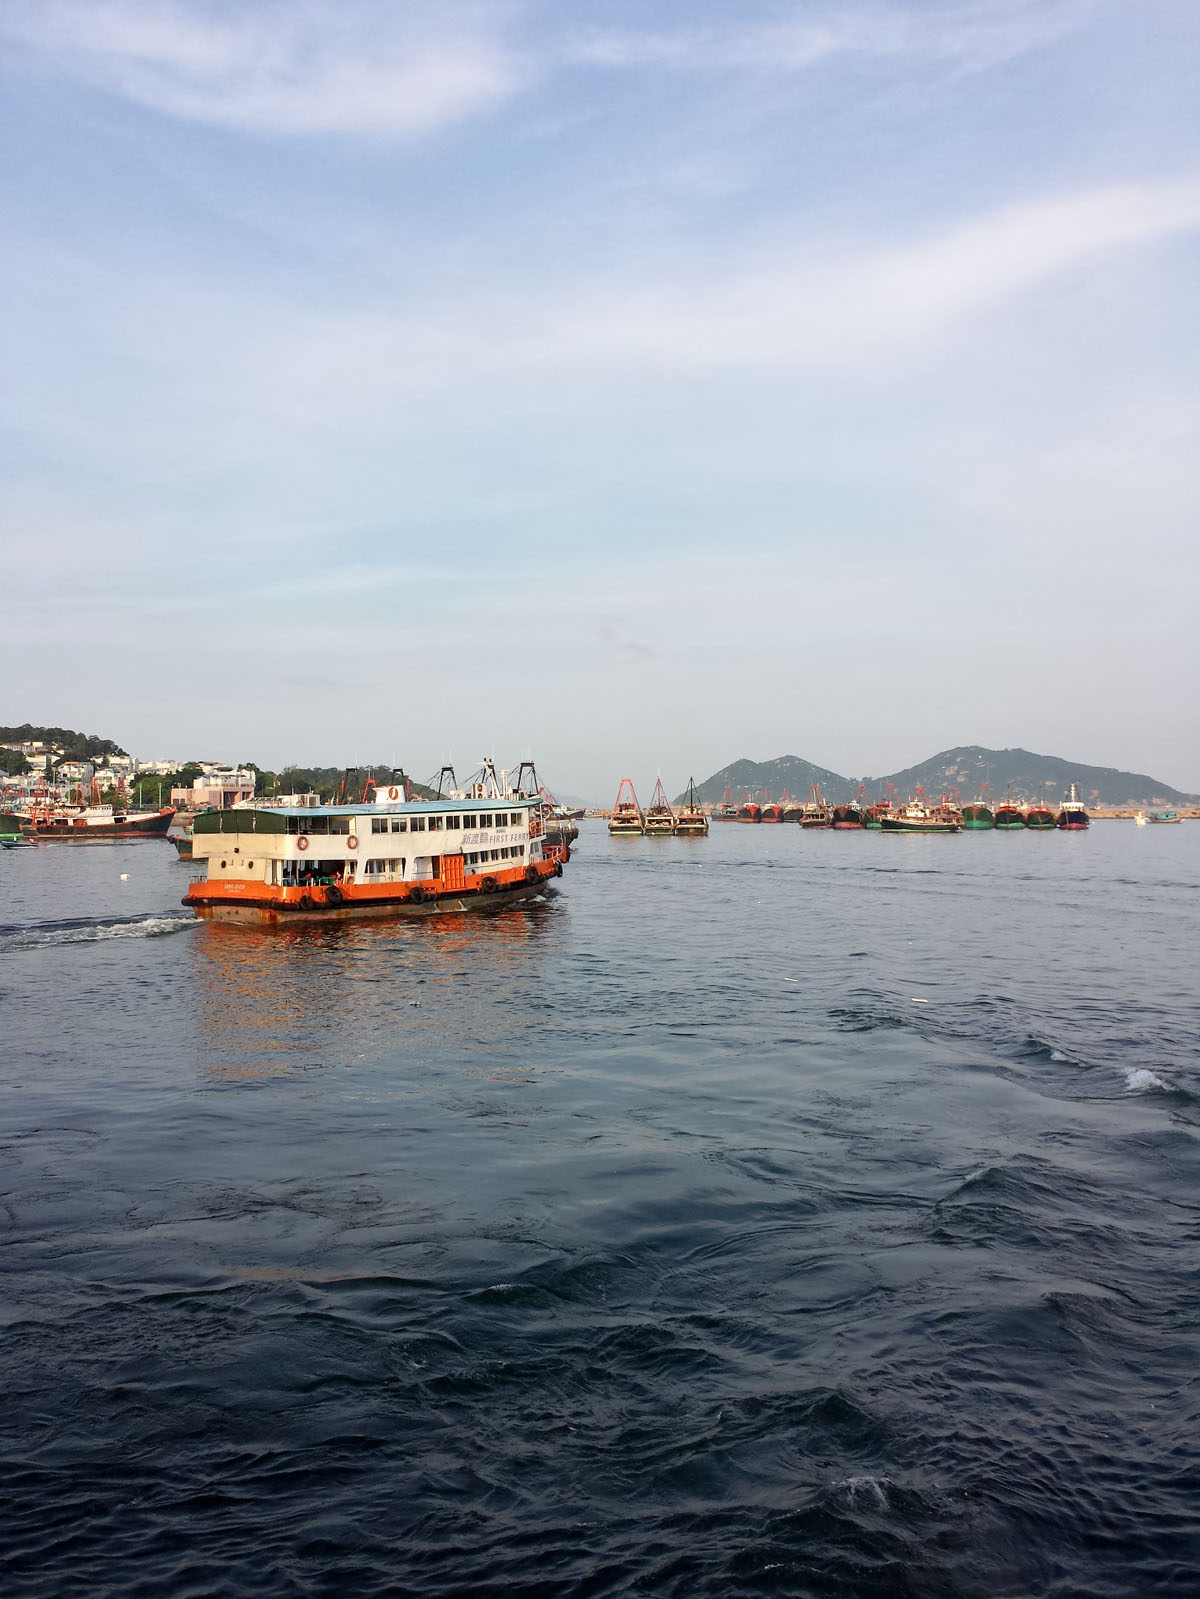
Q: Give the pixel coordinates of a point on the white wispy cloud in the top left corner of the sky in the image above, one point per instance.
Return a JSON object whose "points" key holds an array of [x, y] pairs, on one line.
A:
{"points": [[282, 70]]}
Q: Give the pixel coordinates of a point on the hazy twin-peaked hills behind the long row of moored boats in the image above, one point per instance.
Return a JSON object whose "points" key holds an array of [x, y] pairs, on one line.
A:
{"points": [[966, 768]]}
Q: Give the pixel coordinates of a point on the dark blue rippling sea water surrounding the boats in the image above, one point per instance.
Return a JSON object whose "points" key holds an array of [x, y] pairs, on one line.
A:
{"points": [[772, 1214]]}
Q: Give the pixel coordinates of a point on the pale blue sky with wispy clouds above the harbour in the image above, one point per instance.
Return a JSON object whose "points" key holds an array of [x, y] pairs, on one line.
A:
{"points": [[630, 386]]}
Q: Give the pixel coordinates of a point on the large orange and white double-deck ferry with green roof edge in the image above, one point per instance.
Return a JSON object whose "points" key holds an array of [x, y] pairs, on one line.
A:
{"points": [[390, 856]]}
